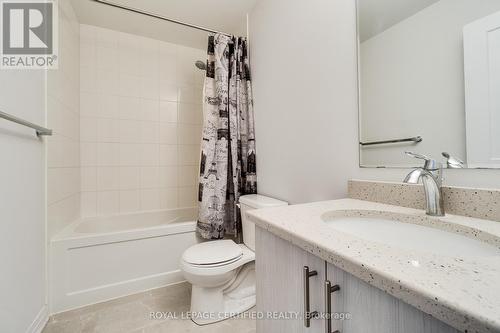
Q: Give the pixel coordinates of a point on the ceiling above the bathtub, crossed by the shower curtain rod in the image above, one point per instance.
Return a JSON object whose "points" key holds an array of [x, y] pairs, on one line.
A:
{"points": [[222, 15]]}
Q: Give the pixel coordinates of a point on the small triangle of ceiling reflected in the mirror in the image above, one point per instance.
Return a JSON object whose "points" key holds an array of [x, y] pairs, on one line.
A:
{"points": [[376, 16]]}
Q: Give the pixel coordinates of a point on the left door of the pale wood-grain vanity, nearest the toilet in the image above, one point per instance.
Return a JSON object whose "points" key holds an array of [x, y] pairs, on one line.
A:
{"points": [[280, 286]]}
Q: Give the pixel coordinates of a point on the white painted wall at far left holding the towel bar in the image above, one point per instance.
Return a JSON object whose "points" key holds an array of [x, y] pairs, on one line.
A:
{"points": [[23, 307]]}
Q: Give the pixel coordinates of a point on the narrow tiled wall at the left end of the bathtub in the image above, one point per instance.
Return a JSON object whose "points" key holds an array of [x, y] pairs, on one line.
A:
{"points": [[63, 103]]}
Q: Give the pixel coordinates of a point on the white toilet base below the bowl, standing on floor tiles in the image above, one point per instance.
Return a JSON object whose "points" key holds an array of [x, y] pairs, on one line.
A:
{"points": [[211, 305]]}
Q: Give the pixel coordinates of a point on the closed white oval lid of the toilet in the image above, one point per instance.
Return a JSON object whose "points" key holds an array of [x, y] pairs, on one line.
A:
{"points": [[214, 252]]}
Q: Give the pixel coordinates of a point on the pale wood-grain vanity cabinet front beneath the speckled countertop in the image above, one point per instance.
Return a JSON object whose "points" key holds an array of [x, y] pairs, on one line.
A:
{"points": [[281, 289]]}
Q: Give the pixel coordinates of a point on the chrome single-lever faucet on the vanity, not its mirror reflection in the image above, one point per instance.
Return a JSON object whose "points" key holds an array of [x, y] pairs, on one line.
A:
{"points": [[432, 178]]}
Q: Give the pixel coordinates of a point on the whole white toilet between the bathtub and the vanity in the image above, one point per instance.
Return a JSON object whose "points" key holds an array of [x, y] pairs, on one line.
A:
{"points": [[222, 272]]}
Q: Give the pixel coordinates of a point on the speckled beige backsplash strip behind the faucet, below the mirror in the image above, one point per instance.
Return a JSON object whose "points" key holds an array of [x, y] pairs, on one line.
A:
{"points": [[477, 203]]}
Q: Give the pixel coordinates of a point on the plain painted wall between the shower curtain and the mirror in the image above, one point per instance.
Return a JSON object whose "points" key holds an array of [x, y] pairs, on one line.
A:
{"points": [[303, 58]]}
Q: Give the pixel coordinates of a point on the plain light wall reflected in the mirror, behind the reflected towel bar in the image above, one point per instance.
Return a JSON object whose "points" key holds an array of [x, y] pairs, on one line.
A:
{"points": [[412, 82]]}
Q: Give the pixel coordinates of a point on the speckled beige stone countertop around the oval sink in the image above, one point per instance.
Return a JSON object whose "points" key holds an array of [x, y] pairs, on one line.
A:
{"points": [[463, 292]]}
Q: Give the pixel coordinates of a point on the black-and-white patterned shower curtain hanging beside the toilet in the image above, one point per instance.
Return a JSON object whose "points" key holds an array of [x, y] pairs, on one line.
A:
{"points": [[228, 165]]}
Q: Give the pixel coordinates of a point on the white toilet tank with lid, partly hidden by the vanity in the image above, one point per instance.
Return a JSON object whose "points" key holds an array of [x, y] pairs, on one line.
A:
{"points": [[254, 201]]}
